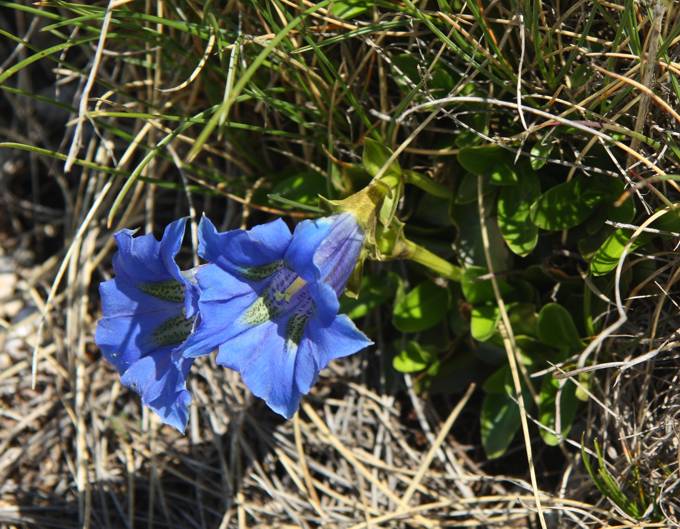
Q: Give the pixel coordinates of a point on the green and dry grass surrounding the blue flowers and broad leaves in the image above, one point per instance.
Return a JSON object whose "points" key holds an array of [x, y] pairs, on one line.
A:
{"points": [[121, 114]]}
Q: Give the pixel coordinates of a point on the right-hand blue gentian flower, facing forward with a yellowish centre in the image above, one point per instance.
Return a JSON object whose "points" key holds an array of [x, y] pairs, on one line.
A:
{"points": [[269, 302]]}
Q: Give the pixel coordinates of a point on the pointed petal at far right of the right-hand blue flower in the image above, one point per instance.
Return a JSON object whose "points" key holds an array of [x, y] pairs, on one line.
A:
{"points": [[340, 338]]}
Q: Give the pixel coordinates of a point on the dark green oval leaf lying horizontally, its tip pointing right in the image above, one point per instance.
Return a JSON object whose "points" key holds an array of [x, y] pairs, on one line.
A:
{"points": [[566, 205]]}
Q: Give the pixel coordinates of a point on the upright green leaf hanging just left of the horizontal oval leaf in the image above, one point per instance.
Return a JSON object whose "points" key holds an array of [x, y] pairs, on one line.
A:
{"points": [[514, 206]]}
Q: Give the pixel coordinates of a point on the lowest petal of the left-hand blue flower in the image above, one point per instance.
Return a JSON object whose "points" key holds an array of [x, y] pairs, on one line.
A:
{"points": [[161, 382]]}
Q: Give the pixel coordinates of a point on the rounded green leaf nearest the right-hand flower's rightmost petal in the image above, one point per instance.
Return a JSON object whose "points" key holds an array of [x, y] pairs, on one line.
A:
{"points": [[421, 308]]}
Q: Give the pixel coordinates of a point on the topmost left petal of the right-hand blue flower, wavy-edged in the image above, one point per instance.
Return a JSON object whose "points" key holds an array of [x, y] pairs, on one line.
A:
{"points": [[237, 249]]}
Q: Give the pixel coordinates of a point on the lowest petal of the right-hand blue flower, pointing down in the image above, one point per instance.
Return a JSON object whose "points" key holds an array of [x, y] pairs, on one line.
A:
{"points": [[266, 364]]}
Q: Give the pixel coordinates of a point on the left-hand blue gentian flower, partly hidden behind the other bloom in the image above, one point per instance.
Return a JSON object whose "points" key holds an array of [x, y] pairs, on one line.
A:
{"points": [[149, 309]]}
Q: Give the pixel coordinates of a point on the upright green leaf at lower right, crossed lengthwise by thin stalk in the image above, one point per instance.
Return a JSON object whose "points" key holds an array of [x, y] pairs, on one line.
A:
{"points": [[547, 409]]}
